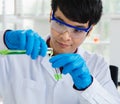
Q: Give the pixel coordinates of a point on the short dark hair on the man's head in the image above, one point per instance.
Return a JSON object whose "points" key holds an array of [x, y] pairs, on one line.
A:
{"points": [[79, 10]]}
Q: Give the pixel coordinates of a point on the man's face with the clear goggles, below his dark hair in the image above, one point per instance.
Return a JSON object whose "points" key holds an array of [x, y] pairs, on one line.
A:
{"points": [[64, 38]]}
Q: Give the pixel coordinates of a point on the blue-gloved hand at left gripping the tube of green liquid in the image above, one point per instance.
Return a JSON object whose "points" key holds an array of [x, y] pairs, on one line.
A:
{"points": [[26, 40]]}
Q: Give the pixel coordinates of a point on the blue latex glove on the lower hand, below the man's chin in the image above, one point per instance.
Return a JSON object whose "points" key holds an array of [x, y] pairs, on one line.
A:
{"points": [[75, 66]]}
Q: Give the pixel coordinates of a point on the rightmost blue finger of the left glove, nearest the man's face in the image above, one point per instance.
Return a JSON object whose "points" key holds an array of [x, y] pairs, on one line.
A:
{"points": [[43, 47]]}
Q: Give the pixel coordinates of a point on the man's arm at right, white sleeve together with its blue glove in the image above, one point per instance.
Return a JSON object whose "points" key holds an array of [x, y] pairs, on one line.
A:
{"points": [[89, 92]]}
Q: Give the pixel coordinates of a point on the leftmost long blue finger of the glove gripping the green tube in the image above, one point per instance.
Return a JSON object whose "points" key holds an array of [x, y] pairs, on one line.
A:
{"points": [[30, 38]]}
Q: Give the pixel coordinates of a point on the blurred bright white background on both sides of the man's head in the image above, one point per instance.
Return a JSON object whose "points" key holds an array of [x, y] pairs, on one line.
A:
{"points": [[34, 14]]}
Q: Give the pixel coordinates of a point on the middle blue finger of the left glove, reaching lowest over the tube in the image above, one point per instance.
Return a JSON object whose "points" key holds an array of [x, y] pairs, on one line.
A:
{"points": [[36, 48]]}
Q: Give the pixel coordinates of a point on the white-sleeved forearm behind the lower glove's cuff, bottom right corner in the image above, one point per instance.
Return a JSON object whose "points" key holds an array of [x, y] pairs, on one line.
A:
{"points": [[97, 94]]}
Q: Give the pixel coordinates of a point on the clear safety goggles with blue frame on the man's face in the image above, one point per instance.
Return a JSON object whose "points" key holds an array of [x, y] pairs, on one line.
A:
{"points": [[61, 27]]}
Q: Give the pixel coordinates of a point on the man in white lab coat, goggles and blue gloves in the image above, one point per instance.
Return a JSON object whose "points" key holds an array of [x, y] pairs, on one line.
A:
{"points": [[85, 77]]}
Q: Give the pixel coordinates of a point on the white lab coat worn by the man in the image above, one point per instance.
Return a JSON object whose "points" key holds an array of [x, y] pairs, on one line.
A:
{"points": [[27, 81]]}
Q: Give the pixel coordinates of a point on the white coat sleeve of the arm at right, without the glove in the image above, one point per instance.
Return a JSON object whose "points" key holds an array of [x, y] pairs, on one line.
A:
{"points": [[102, 86]]}
